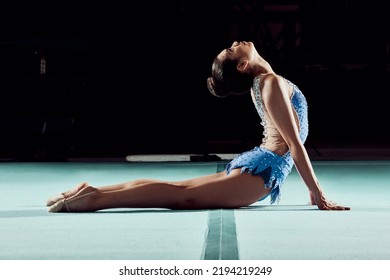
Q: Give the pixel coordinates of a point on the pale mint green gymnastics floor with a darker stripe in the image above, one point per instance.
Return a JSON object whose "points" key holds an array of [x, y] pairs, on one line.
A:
{"points": [[290, 230]]}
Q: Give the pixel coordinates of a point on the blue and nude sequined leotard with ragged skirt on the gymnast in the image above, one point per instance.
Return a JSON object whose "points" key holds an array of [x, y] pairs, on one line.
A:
{"points": [[264, 160]]}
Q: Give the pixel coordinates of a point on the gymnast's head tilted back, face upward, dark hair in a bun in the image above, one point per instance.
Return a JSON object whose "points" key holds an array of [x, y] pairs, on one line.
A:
{"points": [[227, 74]]}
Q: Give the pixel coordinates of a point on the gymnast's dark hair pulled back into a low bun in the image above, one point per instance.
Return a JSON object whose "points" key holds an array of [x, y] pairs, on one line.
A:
{"points": [[226, 80]]}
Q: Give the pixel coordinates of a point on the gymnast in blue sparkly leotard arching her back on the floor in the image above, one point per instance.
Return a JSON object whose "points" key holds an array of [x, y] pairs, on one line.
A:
{"points": [[251, 176]]}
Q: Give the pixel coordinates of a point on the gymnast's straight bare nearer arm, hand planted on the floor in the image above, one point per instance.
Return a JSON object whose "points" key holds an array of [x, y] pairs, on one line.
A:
{"points": [[276, 97]]}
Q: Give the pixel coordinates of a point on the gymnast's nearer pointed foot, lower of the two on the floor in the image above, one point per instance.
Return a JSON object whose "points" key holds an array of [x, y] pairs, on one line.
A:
{"points": [[75, 203]]}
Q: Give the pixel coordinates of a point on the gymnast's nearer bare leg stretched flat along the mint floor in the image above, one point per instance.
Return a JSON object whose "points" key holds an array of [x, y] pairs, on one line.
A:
{"points": [[213, 191]]}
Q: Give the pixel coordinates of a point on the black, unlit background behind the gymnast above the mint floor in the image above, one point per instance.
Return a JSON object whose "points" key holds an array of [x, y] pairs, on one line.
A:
{"points": [[131, 78]]}
